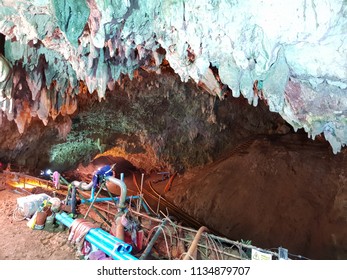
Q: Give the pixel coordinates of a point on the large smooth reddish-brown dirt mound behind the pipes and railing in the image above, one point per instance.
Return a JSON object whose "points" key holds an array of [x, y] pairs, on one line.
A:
{"points": [[280, 191]]}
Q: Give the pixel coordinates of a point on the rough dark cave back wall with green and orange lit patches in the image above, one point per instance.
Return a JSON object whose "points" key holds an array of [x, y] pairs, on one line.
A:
{"points": [[159, 122]]}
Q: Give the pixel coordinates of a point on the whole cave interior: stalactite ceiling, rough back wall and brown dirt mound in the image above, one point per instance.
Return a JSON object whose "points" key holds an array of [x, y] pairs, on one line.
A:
{"points": [[246, 113]]}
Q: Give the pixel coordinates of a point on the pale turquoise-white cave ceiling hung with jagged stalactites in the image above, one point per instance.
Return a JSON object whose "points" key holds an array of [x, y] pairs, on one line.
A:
{"points": [[292, 56]]}
